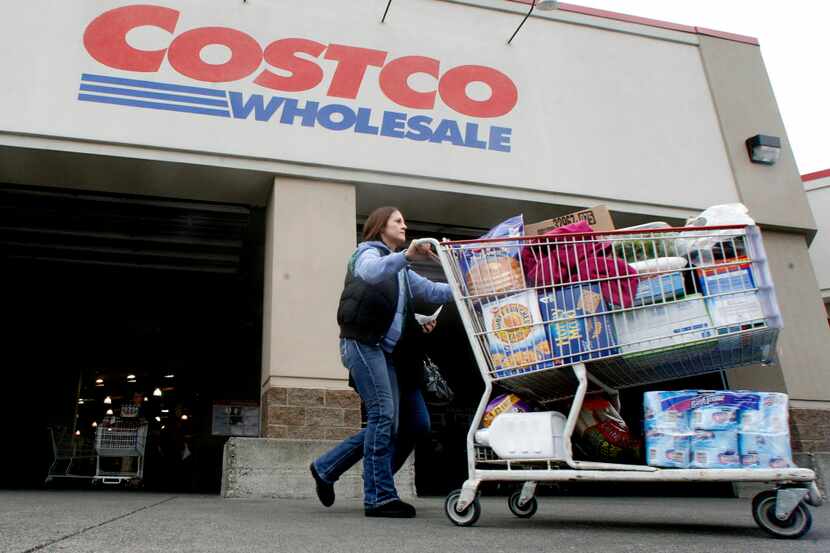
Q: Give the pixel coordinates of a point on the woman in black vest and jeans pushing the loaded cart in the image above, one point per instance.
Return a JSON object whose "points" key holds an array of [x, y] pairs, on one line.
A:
{"points": [[375, 312]]}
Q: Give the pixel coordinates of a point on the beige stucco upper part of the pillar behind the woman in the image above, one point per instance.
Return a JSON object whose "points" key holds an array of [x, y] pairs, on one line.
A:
{"points": [[309, 237]]}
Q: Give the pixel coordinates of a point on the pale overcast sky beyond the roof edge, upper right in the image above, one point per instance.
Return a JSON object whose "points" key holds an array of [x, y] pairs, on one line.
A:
{"points": [[794, 45]]}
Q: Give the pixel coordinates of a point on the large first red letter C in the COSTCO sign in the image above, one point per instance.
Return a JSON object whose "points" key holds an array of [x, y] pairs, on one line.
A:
{"points": [[105, 38]]}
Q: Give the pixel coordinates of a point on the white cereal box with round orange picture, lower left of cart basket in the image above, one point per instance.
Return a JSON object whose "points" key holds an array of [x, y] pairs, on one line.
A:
{"points": [[515, 334]]}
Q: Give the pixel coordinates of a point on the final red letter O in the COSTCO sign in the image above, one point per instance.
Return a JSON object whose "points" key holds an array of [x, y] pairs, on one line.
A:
{"points": [[453, 90]]}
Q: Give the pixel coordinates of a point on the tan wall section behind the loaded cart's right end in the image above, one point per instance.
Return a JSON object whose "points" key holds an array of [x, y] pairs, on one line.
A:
{"points": [[804, 343]]}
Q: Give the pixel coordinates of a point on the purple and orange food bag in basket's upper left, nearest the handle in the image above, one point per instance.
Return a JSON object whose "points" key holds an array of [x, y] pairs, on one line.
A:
{"points": [[495, 268]]}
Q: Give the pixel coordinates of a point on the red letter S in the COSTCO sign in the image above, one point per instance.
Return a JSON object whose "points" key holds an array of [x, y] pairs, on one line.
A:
{"points": [[305, 74]]}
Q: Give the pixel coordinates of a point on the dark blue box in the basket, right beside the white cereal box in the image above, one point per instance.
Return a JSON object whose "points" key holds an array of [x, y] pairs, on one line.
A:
{"points": [[578, 325]]}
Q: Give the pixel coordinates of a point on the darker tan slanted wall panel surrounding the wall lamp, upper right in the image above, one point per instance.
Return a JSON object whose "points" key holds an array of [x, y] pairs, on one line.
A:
{"points": [[746, 106]]}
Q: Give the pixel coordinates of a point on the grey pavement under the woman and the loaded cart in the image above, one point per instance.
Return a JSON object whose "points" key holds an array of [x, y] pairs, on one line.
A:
{"points": [[119, 521]]}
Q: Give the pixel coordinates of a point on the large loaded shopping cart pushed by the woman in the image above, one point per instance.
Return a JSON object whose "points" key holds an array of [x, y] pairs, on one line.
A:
{"points": [[586, 285]]}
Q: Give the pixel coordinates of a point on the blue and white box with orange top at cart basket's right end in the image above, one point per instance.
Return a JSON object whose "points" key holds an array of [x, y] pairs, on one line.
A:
{"points": [[736, 309]]}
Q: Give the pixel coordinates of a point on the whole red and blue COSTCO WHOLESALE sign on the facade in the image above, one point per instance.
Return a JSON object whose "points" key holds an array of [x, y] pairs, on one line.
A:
{"points": [[290, 65]]}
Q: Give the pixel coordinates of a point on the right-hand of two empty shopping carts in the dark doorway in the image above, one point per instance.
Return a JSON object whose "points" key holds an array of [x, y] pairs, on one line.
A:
{"points": [[120, 443]]}
